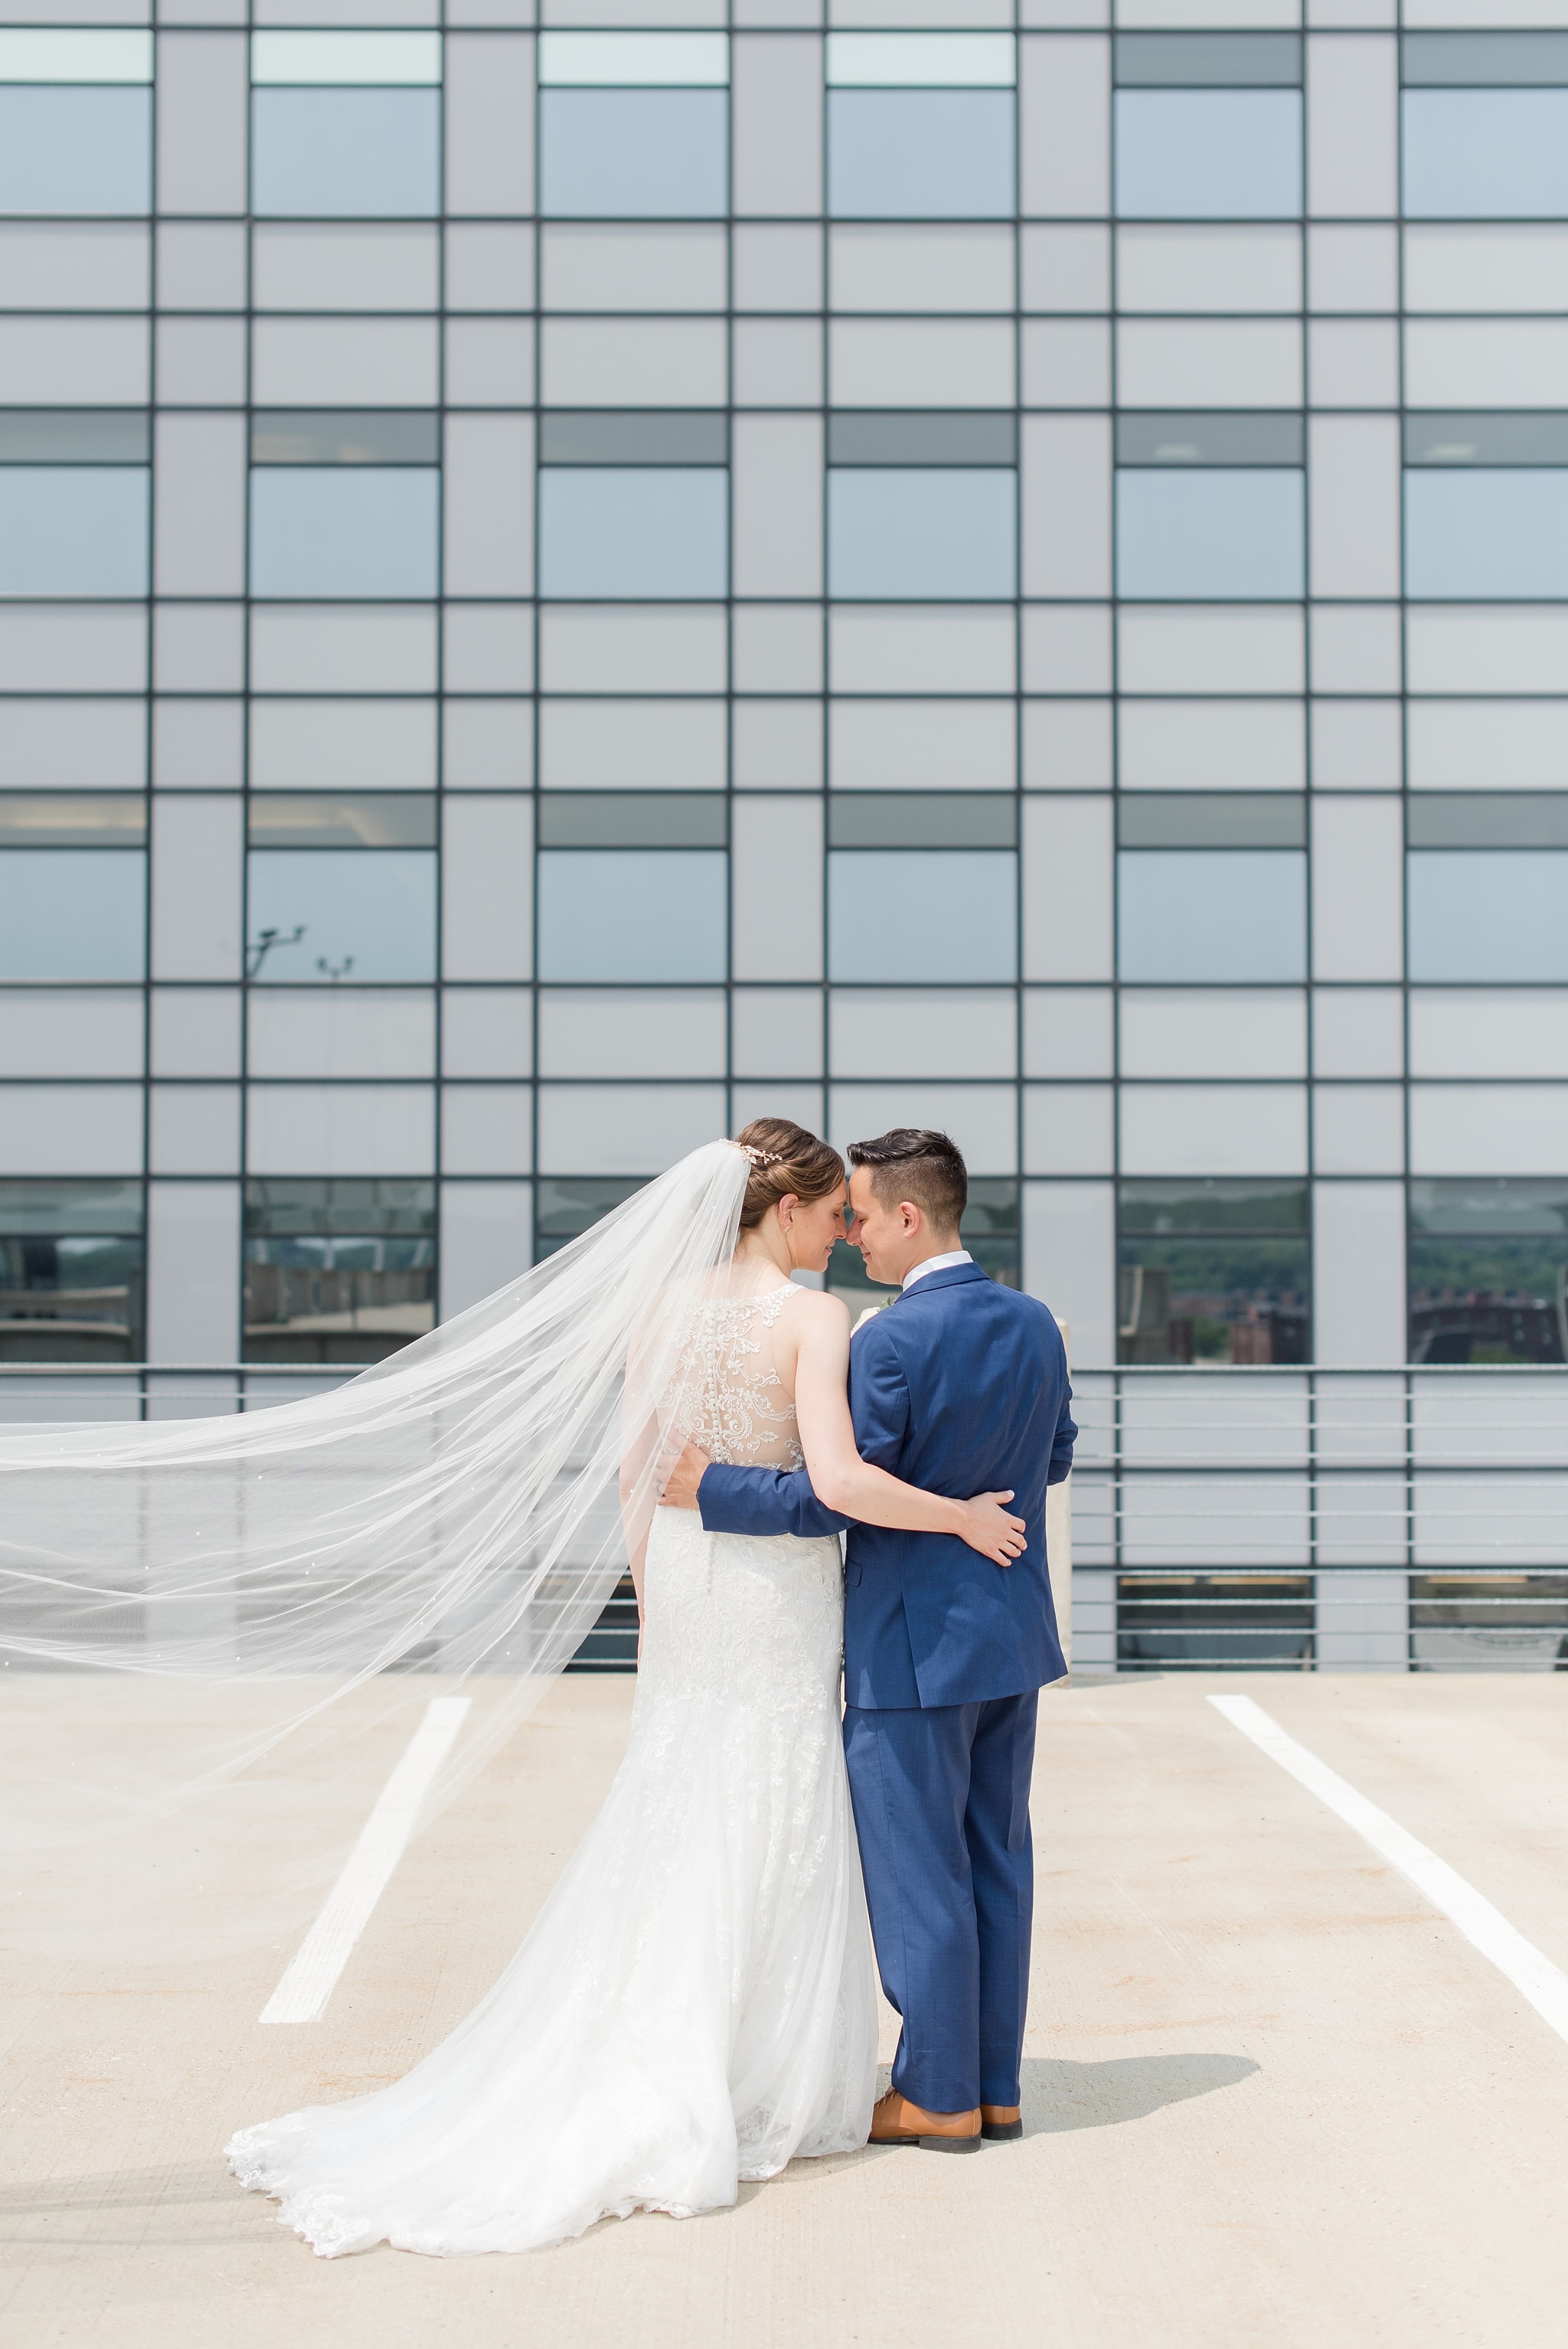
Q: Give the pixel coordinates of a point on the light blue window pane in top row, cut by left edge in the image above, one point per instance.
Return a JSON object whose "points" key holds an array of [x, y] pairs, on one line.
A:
{"points": [[76, 152]]}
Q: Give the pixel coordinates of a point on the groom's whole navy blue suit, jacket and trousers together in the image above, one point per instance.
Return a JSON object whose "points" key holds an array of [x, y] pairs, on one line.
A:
{"points": [[959, 1387]]}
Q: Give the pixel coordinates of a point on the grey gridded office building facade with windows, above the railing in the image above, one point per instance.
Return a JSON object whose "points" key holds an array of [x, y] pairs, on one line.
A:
{"points": [[565, 586]]}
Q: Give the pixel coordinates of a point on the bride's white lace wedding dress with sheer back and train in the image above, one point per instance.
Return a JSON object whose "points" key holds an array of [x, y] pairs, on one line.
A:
{"points": [[694, 2003]]}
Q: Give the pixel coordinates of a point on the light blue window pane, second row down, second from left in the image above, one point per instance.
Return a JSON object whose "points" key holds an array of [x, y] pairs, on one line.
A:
{"points": [[344, 532]]}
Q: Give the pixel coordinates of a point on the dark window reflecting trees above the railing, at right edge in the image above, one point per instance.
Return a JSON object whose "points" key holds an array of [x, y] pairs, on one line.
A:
{"points": [[1489, 1272]]}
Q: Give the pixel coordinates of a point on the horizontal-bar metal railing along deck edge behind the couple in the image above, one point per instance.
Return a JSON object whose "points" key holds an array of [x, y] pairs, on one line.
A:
{"points": [[1257, 1516]]}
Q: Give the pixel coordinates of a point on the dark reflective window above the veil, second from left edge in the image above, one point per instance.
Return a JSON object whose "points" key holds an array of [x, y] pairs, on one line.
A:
{"points": [[337, 1272]]}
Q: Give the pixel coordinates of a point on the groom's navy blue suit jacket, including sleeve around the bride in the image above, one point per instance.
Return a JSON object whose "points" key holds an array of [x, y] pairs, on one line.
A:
{"points": [[959, 1387]]}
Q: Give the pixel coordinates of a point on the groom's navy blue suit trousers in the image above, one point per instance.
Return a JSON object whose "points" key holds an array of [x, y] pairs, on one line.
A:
{"points": [[942, 1819]]}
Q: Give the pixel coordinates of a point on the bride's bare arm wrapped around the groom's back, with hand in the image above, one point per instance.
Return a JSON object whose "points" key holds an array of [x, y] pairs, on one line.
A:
{"points": [[844, 1481]]}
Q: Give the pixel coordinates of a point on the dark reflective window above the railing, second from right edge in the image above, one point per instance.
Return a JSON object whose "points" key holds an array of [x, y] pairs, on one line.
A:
{"points": [[1215, 1272]]}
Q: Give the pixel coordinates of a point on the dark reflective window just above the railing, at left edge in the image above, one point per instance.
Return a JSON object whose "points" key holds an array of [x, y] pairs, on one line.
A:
{"points": [[72, 1272]]}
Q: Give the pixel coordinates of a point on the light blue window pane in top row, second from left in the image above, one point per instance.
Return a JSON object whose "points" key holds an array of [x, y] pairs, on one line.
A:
{"points": [[346, 154]]}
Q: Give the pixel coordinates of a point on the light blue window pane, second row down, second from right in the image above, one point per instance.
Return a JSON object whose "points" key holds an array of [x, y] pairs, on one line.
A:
{"points": [[1210, 534]]}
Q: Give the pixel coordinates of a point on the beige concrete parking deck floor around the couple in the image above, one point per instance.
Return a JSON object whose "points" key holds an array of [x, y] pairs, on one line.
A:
{"points": [[1271, 2096]]}
